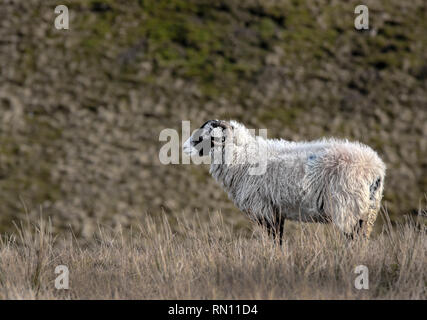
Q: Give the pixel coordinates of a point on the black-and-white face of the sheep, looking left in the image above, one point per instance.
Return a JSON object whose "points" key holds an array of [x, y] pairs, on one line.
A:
{"points": [[204, 139]]}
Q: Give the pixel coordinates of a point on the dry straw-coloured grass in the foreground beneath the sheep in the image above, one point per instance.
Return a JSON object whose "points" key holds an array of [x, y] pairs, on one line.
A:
{"points": [[209, 261]]}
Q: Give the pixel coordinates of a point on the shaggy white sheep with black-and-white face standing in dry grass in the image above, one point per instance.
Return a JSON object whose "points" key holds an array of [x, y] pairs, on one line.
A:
{"points": [[327, 180]]}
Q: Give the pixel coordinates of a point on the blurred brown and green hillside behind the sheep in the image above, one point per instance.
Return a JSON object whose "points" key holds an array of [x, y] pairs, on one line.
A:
{"points": [[81, 109]]}
